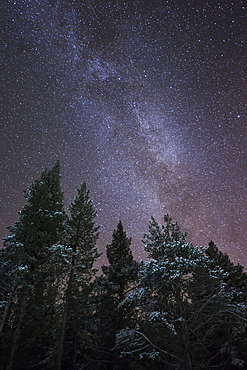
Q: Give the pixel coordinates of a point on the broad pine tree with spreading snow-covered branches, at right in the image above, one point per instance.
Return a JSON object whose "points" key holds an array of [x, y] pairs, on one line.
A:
{"points": [[186, 314]]}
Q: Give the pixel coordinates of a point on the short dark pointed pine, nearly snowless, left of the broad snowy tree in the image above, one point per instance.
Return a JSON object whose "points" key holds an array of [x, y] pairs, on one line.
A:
{"points": [[119, 279]]}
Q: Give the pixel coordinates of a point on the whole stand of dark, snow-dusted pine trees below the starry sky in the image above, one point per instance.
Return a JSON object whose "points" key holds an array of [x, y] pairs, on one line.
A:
{"points": [[185, 307]]}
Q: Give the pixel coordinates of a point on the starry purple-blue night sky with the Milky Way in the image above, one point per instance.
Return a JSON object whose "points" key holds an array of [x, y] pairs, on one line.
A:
{"points": [[145, 101]]}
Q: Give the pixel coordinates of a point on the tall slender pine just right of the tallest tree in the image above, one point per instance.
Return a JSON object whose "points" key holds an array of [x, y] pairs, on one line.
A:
{"points": [[82, 238]]}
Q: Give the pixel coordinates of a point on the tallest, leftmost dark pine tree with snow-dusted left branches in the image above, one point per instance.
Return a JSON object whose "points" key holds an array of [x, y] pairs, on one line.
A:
{"points": [[32, 291]]}
